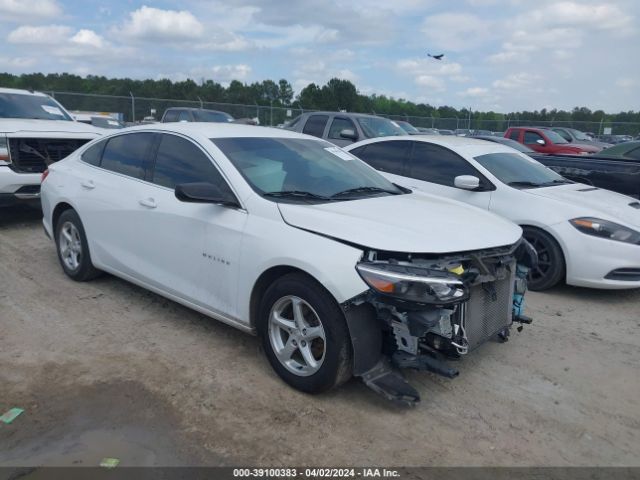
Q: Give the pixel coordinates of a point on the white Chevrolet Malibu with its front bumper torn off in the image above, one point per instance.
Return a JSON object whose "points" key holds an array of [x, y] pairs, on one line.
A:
{"points": [[340, 271]]}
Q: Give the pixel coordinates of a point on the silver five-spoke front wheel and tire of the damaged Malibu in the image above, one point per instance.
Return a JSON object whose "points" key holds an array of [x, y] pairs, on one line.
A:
{"points": [[304, 334]]}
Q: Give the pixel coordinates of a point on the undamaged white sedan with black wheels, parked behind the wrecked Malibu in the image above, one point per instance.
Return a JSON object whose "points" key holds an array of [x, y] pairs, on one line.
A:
{"points": [[587, 236]]}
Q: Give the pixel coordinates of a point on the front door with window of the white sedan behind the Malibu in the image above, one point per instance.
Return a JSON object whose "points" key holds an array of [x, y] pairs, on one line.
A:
{"points": [[433, 169]]}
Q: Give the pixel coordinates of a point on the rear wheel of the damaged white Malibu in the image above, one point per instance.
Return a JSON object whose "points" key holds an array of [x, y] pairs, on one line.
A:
{"points": [[73, 249]]}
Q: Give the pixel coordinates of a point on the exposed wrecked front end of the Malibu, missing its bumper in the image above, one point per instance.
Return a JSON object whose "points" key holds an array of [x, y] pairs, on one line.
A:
{"points": [[389, 333]]}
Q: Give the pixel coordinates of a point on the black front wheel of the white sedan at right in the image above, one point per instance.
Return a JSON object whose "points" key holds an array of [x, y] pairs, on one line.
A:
{"points": [[551, 267]]}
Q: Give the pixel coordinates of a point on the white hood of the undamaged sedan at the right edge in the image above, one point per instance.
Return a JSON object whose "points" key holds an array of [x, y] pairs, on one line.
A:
{"points": [[594, 202]]}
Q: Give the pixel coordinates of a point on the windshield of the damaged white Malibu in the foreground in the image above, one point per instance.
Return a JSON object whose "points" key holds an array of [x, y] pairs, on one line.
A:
{"points": [[307, 170]]}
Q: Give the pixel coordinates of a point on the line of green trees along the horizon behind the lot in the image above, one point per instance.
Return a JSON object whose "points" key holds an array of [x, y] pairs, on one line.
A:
{"points": [[336, 94]]}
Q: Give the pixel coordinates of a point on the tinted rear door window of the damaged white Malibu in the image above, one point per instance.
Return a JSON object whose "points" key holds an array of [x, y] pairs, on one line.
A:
{"points": [[127, 154]]}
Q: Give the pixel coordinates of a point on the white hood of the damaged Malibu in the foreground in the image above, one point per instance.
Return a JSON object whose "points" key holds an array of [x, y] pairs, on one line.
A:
{"points": [[417, 223]]}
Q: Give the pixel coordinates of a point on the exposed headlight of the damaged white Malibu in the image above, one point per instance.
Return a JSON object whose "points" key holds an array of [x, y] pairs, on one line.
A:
{"points": [[414, 284]]}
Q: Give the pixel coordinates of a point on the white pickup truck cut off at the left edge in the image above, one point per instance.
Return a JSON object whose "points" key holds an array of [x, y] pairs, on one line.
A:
{"points": [[35, 131]]}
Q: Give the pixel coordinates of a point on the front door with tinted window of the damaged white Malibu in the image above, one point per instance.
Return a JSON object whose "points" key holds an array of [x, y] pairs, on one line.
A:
{"points": [[187, 249]]}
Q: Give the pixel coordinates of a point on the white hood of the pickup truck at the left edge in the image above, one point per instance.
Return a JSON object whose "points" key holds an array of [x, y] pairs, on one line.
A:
{"points": [[25, 127]]}
